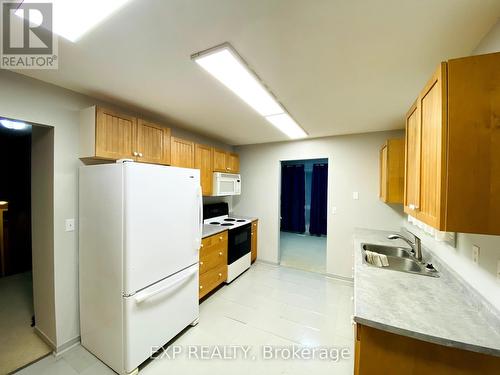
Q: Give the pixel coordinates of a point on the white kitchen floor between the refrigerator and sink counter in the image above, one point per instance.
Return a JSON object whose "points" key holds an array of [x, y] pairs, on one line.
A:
{"points": [[267, 305]]}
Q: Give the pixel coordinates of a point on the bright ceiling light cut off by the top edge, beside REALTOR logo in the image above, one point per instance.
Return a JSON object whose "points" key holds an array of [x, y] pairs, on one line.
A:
{"points": [[73, 18]]}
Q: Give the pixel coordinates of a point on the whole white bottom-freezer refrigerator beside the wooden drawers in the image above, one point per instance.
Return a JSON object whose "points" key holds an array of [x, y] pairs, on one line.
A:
{"points": [[139, 239]]}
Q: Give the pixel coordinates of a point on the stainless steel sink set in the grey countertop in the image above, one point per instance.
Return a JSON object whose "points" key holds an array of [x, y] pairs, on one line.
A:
{"points": [[399, 259]]}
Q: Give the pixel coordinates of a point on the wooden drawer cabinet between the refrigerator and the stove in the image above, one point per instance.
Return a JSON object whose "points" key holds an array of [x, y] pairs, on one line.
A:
{"points": [[213, 263]]}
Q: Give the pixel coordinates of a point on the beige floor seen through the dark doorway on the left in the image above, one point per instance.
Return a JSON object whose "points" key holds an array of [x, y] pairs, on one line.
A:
{"points": [[19, 344]]}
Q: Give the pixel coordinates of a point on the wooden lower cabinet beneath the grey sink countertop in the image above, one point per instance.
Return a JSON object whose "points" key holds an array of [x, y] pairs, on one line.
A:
{"points": [[384, 353]]}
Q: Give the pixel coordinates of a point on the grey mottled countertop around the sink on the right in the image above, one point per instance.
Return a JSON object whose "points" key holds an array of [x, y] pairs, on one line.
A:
{"points": [[437, 310]]}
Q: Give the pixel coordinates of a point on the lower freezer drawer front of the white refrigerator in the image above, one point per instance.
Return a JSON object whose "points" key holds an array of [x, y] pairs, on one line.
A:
{"points": [[157, 314]]}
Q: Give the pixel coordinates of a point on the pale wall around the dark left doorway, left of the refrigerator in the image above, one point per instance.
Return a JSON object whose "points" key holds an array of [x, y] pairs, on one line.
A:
{"points": [[31, 100]]}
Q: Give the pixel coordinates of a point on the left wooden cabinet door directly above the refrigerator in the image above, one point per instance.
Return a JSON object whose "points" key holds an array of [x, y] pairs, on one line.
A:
{"points": [[115, 136]]}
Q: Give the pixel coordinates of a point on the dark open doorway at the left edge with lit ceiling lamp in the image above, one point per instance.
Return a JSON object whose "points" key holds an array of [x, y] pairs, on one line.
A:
{"points": [[19, 343]]}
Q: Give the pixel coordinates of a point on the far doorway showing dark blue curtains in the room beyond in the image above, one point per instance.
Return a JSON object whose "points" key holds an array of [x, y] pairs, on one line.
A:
{"points": [[303, 214]]}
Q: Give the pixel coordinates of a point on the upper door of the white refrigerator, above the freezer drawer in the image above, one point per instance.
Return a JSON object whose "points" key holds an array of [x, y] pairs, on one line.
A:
{"points": [[162, 223]]}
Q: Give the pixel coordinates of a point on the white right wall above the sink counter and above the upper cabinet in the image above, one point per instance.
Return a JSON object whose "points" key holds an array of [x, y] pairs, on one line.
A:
{"points": [[482, 276]]}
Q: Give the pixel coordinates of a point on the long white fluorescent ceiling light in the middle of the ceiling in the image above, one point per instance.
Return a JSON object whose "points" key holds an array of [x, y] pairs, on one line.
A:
{"points": [[227, 66]]}
